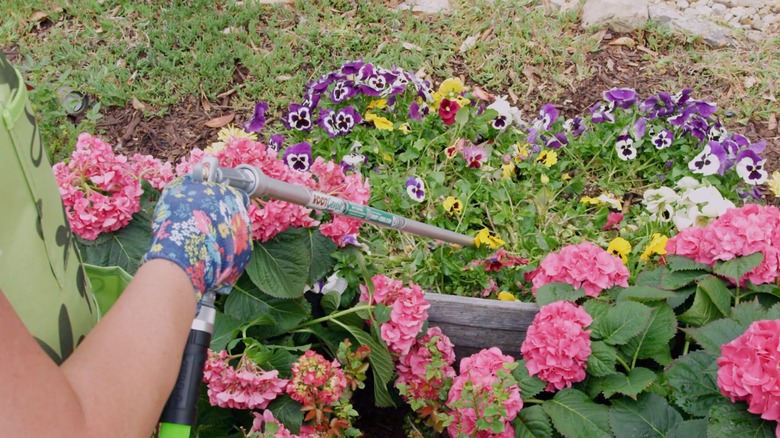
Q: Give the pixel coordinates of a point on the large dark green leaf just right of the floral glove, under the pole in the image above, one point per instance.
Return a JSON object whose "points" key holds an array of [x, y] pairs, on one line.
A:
{"points": [[280, 267]]}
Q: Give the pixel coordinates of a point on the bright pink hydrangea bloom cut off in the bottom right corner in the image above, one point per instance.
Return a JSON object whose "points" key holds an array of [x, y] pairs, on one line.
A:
{"points": [[749, 369]]}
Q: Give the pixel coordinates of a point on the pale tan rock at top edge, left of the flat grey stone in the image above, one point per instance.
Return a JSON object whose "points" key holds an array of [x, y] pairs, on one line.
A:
{"points": [[618, 15]]}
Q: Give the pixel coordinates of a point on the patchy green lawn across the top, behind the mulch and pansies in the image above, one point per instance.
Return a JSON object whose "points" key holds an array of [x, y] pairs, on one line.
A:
{"points": [[163, 53]]}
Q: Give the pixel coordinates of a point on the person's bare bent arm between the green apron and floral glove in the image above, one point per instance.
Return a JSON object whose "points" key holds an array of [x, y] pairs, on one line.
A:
{"points": [[116, 382]]}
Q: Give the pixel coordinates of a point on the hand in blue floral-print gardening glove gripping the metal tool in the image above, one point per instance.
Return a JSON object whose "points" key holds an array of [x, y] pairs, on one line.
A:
{"points": [[204, 228]]}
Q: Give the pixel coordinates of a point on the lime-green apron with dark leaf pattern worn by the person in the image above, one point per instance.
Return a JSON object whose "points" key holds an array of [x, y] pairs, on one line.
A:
{"points": [[40, 266]]}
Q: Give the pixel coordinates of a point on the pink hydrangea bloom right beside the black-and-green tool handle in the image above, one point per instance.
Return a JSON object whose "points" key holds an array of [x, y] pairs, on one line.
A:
{"points": [[245, 387]]}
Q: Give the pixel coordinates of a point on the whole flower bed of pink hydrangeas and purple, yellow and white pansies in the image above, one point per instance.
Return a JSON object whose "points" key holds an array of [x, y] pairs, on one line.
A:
{"points": [[636, 230]]}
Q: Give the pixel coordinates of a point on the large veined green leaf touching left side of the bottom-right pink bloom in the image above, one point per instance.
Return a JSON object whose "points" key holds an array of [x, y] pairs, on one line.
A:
{"points": [[692, 379]]}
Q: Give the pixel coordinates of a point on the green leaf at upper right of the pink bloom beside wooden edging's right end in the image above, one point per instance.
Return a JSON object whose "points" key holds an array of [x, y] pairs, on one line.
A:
{"points": [[622, 322]]}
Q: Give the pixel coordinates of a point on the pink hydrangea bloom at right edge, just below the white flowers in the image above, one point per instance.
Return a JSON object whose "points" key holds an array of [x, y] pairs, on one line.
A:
{"points": [[739, 232]]}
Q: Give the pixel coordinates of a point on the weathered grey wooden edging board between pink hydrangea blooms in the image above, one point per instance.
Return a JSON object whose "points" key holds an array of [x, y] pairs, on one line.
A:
{"points": [[476, 323]]}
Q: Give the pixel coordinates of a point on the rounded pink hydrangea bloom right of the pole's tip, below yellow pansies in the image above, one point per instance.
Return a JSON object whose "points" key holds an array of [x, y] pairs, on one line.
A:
{"points": [[586, 266]]}
